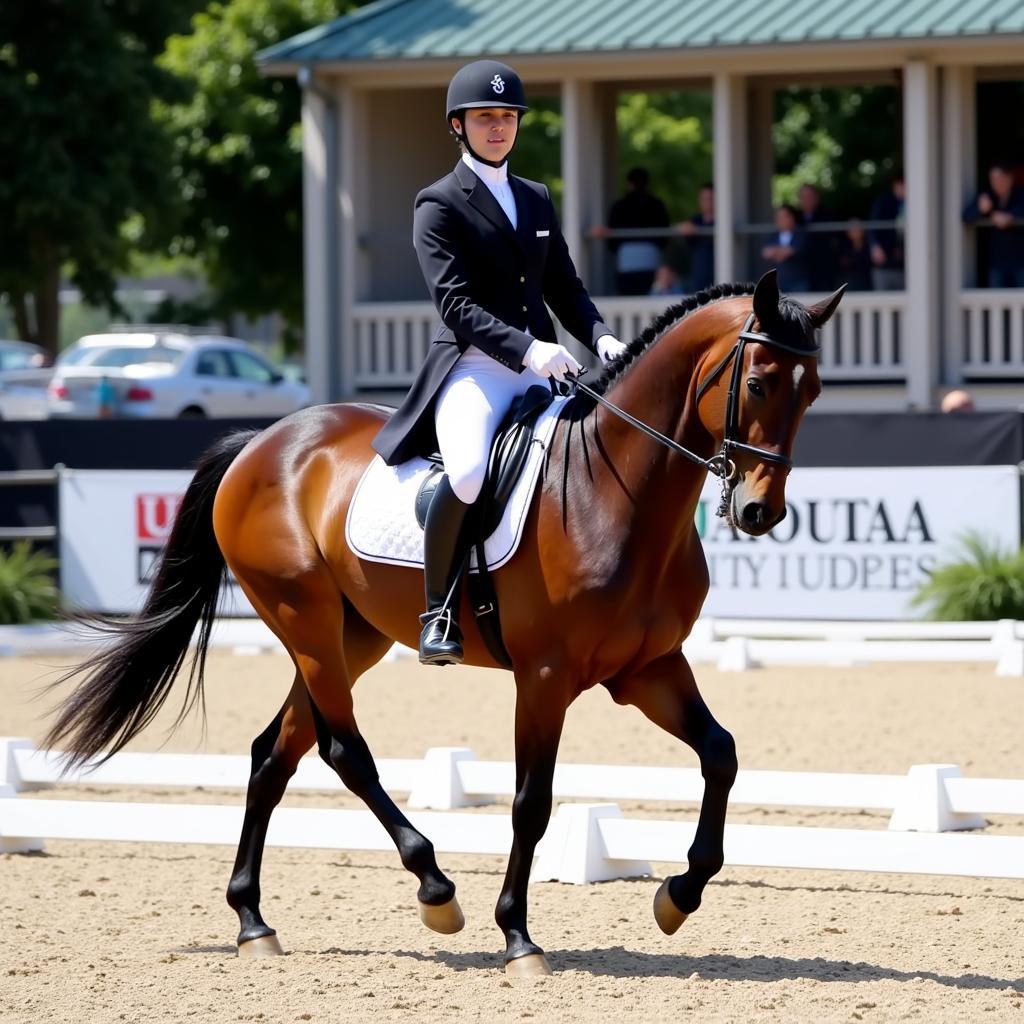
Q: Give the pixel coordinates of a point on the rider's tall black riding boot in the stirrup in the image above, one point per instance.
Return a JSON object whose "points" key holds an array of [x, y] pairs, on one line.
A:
{"points": [[441, 642]]}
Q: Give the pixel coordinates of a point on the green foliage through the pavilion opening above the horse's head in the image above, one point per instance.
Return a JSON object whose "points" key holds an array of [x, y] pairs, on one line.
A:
{"points": [[846, 141]]}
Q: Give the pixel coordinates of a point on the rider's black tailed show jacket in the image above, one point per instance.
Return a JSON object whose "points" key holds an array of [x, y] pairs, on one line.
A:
{"points": [[490, 283]]}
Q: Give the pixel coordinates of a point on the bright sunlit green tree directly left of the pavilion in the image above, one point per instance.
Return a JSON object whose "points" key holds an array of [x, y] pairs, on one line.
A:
{"points": [[238, 152]]}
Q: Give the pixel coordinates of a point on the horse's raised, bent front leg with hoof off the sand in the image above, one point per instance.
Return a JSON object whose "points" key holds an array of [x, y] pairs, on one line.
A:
{"points": [[667, 693]]}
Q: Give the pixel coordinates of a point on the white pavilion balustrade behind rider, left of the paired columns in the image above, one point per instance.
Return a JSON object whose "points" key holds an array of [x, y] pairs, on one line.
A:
{"points": [[865, 342]]}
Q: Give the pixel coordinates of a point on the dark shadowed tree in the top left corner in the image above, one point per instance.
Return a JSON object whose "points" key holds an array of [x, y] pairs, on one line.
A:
{"points": [[79, 153]]}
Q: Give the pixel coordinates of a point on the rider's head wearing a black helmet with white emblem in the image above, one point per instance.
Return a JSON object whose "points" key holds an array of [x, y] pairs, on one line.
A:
{"points": [[486, 101]]}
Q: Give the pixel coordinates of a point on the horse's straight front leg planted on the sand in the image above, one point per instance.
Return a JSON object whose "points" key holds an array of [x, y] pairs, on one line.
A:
{"points": [[539, 716]]}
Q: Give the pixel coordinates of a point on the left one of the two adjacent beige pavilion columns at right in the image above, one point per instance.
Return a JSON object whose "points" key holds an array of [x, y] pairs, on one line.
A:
{"points": [[921, 340]]}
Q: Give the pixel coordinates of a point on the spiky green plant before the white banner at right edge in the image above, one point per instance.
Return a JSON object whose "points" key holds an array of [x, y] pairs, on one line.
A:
{"points": [[985, 584]]}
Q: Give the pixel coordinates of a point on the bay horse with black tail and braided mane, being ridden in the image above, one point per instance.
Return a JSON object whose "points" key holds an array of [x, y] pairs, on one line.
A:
{"points": [[608, 582]]}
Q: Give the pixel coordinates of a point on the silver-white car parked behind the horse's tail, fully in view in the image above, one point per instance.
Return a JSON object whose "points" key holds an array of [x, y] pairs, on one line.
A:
{"points": [[169, 376]]}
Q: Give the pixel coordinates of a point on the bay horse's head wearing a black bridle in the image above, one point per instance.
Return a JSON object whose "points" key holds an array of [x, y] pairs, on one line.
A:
{"points": [[752, 395]]}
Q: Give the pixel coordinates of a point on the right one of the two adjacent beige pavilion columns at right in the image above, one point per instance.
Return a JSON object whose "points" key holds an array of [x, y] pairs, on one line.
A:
{"points": [[959, 148]]}
